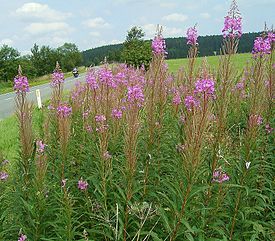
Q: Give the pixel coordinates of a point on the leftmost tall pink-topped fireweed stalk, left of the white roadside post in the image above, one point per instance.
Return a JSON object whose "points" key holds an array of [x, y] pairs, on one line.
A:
{"points": [[24, 117]]}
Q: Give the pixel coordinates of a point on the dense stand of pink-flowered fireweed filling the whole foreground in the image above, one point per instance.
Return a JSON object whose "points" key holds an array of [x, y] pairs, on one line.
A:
{"points": [[135, 154]]}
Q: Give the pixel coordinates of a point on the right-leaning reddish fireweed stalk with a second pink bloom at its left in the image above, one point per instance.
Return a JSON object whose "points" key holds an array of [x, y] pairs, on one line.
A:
{"points": [[198, 112]]}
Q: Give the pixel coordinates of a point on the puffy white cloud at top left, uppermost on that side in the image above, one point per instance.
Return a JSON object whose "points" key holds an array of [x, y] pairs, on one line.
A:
{"points": [[43, 12]]}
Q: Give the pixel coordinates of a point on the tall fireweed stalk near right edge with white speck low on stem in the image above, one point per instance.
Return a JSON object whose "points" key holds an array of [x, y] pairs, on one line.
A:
{"points": [[257, 104]]}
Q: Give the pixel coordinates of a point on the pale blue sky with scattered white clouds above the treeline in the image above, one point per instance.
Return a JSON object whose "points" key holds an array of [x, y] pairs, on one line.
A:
{"points": [[93, 23]]}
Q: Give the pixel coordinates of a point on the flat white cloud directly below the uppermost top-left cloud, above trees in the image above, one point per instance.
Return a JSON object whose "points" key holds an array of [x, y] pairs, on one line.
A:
{"points": [[58, 28]]}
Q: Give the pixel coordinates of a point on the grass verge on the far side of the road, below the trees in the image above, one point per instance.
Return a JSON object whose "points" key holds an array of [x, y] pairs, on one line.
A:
{"points": [[8, 87]]}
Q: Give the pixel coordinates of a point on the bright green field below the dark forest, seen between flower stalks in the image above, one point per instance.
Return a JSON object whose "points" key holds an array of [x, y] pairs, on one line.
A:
{"points": [[239, 60]]}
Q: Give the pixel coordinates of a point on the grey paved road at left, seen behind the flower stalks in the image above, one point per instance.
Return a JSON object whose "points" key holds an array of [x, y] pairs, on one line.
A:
{"points": [[7, 104]]}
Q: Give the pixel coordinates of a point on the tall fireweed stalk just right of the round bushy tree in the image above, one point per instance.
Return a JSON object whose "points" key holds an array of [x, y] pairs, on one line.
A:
{"points": [[156, 95]]}
